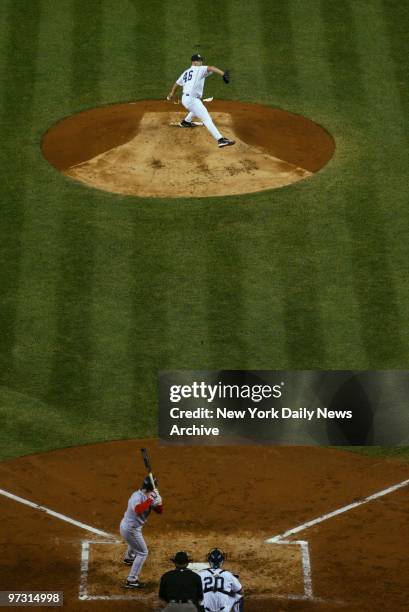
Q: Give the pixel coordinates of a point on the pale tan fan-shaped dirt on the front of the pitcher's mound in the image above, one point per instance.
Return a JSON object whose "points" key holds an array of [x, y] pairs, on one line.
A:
{"points": [[161, 161]]}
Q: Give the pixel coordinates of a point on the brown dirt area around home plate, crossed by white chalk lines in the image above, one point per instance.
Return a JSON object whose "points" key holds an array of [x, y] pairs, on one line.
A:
{"points": [[233, 497]]}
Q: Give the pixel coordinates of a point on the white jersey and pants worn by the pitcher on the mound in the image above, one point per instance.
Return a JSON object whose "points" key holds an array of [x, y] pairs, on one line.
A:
{"points": [[192, 80]]}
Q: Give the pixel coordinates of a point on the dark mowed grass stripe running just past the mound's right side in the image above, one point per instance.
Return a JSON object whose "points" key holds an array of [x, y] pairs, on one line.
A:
{"points": [[361, 201]]}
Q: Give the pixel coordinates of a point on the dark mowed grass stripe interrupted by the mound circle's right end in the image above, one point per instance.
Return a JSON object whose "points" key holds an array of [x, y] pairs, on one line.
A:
{"points": [[297, 263]]}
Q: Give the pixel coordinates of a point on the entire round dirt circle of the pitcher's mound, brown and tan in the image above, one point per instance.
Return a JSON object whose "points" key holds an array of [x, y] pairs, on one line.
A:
{"points": [[138, 148]]}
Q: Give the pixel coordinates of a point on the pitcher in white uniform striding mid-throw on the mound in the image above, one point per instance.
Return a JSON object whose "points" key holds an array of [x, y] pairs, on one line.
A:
{"points": [[192, 82]]}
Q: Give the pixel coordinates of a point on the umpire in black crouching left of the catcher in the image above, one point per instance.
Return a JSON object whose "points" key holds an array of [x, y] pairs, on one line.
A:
{"points": [[181, 588]]}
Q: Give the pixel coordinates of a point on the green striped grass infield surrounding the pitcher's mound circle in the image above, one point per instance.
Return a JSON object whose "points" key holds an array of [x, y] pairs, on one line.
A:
{"points": [[99, 291]]}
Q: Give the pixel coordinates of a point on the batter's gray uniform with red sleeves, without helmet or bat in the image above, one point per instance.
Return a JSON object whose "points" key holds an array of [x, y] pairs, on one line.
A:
{"points": [[131, 529]]}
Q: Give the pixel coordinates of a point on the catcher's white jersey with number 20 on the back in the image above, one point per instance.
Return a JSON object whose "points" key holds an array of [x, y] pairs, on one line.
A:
{"points": [[221, 590]]}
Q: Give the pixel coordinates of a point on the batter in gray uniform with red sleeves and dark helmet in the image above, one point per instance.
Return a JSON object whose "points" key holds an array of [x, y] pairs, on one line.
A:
{"points": [[138, 510]]}
